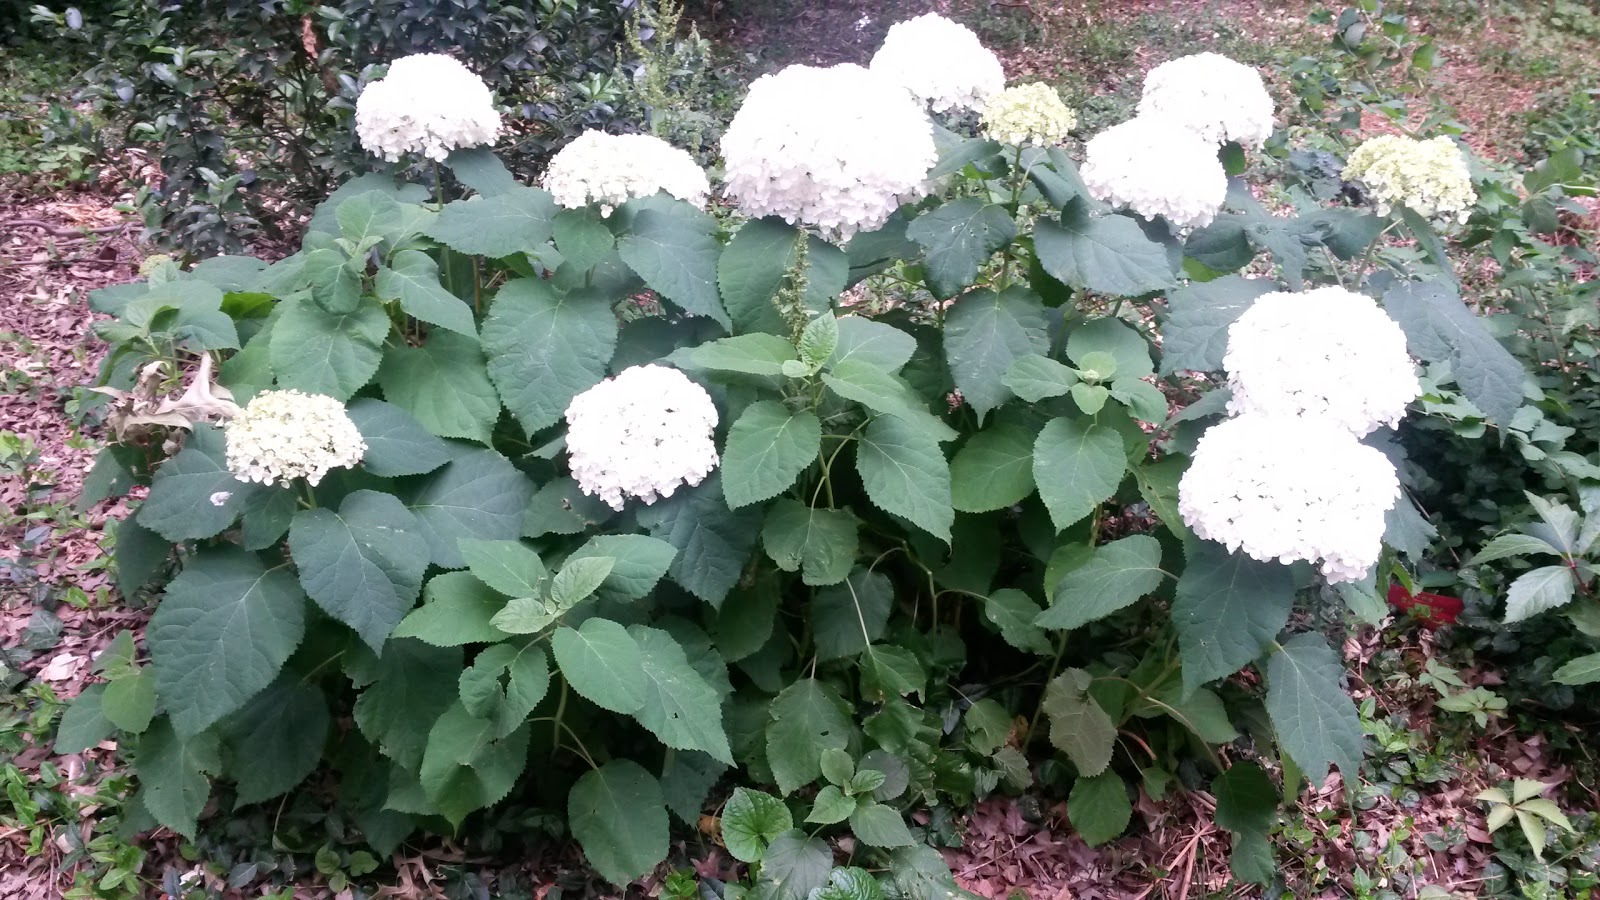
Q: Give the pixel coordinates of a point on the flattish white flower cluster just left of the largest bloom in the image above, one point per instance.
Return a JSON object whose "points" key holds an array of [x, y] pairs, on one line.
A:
{"points": [[612, 169]]}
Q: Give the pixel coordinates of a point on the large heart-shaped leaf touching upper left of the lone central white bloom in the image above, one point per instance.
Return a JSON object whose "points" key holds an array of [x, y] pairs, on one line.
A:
{"points": [[546, 348]]}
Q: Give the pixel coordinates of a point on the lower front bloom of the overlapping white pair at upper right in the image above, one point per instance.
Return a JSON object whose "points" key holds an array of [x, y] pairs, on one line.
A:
{"points": [[1156, 169]]}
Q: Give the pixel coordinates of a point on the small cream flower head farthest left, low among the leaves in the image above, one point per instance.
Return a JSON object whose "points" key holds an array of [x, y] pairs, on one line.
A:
{"points": [[286, 435]]}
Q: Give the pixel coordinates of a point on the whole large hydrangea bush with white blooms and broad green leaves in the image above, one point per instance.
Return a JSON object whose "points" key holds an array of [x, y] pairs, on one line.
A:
{"points": [[833, 492]]}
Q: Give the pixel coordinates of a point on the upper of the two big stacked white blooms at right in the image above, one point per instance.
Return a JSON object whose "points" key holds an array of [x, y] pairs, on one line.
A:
{"points": [[1324, 353]]}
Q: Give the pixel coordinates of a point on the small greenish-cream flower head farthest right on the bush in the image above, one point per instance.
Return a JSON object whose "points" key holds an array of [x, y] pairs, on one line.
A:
{"points": [[1426, 177]]}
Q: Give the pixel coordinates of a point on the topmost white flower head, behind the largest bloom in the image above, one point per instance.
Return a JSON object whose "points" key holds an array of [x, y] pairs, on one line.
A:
{"points": [[940, 63]]}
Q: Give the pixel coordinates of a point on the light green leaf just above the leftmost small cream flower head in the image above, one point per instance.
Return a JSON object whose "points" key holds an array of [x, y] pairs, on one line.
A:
{"points": [[324, 353]]}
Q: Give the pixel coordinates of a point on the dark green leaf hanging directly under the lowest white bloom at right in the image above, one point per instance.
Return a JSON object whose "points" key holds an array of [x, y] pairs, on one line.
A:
{"points": [[1228, 609]]}
